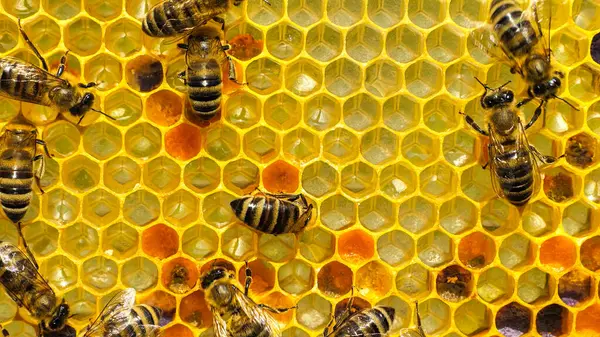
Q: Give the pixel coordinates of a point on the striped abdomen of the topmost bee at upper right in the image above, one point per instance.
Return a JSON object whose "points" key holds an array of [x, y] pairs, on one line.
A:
{"points": [[515, 32]]}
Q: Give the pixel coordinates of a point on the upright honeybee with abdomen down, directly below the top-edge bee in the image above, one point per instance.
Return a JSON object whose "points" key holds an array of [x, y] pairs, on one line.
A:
{"points": [[205, 54]]}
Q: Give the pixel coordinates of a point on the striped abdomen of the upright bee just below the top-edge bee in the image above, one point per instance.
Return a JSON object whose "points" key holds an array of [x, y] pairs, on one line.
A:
{"points": [[204, 89]]}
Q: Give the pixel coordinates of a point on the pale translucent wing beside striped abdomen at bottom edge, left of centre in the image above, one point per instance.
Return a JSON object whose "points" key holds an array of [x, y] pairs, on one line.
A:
{"points": [[115, 316]]}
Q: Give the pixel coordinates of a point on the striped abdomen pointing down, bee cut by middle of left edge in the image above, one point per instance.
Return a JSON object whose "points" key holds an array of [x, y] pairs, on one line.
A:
{"points": [[16, 179]]}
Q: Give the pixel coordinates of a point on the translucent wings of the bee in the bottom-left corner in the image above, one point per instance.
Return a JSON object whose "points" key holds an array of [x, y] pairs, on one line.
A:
{"points": [[17, 262]]}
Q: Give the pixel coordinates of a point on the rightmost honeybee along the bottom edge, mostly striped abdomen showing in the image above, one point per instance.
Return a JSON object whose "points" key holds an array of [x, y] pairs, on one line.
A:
{"points": [[377, 321]]}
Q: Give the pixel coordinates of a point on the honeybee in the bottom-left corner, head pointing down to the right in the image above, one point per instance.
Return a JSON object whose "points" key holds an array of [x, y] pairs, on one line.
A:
{"points": [[24, 284]]}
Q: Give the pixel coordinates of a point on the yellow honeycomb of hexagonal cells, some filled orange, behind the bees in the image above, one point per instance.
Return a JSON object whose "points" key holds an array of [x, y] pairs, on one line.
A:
{"points": [[354, 103]]}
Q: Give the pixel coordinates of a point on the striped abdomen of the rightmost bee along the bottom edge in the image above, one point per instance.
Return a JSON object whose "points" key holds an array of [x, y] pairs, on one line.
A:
{"points": [[376, 321]]}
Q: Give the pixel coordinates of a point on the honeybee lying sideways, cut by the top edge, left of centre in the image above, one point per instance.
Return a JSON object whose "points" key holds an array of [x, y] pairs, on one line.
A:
{"points": [[173, 17]]}
